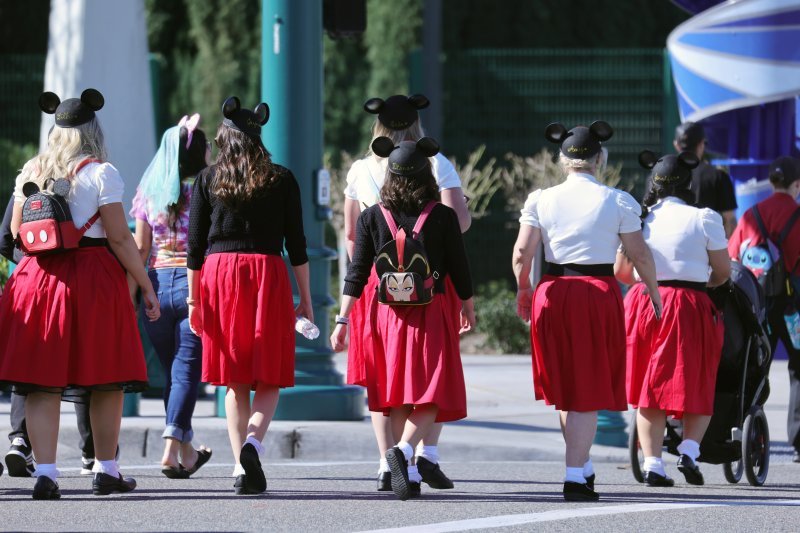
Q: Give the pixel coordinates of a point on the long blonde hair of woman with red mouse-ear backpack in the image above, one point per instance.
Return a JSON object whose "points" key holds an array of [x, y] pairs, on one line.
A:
{"points": [[66, 147]]}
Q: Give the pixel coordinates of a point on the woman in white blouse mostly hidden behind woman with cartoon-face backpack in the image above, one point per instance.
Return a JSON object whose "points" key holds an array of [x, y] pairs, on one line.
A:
{"points": [[398, 119]]}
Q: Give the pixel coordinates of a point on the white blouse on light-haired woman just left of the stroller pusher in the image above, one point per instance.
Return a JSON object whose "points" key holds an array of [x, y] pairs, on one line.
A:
{"points": [[581, 220]]}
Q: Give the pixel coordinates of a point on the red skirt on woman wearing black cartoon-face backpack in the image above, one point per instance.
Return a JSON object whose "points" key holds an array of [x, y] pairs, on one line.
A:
{"points": [[415, 358]]}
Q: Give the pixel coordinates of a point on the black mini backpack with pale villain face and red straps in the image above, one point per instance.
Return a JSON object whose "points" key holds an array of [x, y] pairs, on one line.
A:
{"points": [[402, 265]]}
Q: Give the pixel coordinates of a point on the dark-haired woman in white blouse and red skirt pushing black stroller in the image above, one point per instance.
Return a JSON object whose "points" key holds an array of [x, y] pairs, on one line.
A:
{"points": [[672, 363]]}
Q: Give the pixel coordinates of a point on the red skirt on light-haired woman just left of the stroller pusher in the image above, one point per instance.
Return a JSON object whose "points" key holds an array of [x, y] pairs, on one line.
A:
{"points": [[578, 339]]}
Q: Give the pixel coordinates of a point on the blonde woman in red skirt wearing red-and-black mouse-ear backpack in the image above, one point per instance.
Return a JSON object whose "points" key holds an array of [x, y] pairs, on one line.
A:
{"points": [[56, 339]]}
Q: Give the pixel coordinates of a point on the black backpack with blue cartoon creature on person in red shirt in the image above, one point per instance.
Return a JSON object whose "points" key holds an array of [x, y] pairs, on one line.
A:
{"points": [[765, 259]]}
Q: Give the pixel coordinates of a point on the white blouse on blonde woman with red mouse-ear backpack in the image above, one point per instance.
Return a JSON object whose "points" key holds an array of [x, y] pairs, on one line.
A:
{"points": [[96, 184]]}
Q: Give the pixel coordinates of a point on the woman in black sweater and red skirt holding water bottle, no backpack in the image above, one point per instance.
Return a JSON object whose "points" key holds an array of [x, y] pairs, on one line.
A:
{"points": [[243, 209]]}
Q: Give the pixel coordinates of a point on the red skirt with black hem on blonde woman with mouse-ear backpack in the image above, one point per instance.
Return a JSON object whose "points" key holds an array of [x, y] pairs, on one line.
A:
{"points": [[66, 320]]}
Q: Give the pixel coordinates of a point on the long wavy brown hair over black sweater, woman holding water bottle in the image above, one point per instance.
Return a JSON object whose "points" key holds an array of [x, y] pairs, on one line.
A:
{"points": [[244, 167]]}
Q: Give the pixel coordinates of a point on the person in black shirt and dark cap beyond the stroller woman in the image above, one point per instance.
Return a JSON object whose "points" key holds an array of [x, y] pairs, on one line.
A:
{"points": [[711, 186]]}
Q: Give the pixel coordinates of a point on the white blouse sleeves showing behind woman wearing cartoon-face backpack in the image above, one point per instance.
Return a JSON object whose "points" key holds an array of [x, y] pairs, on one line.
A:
{"points": [[365, 178]]}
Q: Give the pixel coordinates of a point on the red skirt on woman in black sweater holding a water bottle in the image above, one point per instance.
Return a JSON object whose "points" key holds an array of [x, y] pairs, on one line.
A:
{"points": [[248, 320]]}
